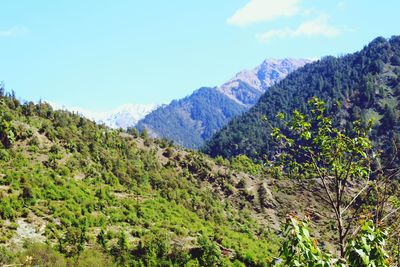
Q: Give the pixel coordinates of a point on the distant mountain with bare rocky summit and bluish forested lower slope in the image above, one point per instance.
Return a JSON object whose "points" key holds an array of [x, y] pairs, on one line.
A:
{"points": [[194, 119]]}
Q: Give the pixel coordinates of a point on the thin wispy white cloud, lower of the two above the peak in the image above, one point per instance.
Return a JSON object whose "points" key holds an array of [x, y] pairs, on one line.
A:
{"points": [[315, 27]]}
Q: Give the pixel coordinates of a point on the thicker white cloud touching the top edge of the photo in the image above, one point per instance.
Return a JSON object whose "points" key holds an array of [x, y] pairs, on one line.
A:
{"points": [[264, 10]]}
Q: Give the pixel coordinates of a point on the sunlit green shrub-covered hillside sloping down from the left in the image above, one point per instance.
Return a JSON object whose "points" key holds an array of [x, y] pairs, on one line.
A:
{"points": [[93, 196]]}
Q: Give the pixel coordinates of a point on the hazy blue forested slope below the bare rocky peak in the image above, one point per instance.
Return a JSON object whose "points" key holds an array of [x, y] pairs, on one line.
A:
{"points": [[192, 120]]}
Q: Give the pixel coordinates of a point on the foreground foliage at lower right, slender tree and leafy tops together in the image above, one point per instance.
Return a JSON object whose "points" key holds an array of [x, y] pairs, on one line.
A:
{"points": [[336, 165]]}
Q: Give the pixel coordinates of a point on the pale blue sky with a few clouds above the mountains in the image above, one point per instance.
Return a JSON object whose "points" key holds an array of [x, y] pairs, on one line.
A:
{"points": [[101, 54]]}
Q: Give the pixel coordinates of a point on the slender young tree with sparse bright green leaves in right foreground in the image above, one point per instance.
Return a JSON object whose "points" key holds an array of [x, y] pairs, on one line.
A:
{"points": [[331, 163]]}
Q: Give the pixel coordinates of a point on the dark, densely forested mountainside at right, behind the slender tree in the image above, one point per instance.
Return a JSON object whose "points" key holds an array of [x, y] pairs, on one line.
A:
{"points": [[365, 84]]}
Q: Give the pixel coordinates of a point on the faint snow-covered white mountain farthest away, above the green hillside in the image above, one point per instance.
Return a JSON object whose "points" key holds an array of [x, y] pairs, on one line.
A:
{"points": [[123, 116]]}
